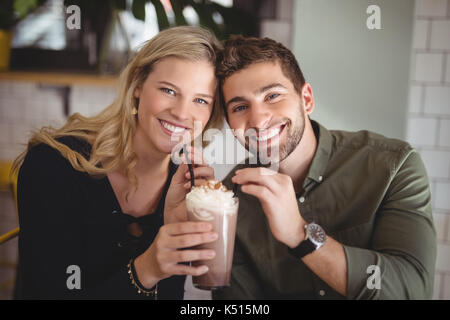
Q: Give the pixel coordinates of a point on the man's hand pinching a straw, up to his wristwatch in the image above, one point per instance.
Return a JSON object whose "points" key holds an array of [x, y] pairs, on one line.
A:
{"points": [[275, 191]]}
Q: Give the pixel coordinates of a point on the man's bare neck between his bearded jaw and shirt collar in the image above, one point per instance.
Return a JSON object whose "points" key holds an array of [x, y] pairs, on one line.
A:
{"points": [[297, 164]]}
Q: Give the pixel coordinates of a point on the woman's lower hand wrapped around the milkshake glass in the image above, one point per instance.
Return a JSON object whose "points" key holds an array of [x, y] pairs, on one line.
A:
{"points": [[161, 260]]}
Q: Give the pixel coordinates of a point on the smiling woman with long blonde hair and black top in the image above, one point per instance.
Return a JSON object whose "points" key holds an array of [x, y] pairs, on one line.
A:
{"points": [[101, 204]]}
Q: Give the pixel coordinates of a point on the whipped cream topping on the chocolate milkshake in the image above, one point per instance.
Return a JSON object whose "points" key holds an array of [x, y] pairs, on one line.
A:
{"points": [[209, 199]]}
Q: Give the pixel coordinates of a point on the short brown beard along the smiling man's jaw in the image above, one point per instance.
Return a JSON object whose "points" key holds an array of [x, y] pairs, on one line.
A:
{"points": [[293, 137]]}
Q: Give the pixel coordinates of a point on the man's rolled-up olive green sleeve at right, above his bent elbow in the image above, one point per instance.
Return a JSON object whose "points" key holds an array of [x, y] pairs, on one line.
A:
{"points": [[403, 244]]}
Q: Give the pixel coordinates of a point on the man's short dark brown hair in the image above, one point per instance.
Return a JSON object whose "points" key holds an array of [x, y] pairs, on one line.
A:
{"points": [[240, 52]]}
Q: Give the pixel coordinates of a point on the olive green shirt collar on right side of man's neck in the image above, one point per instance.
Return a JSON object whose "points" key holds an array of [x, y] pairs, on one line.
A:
{"points": [[320, 161]]}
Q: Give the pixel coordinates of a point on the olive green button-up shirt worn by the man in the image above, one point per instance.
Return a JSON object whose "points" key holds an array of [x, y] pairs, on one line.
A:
{"points": [[369, 193]]}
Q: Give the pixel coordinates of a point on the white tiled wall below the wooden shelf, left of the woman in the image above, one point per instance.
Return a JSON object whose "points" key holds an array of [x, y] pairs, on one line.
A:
{"points": [[27, 106]]}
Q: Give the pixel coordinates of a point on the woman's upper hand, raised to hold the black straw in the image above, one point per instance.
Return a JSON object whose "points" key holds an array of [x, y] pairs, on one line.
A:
{"points": [[175, 204]]}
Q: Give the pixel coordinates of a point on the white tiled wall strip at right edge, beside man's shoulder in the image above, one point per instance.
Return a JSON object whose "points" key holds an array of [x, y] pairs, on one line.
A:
{"points": [[429, 119]]}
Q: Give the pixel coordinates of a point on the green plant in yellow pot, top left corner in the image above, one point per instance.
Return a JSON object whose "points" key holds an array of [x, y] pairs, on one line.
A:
{"points": [[11, 12]]}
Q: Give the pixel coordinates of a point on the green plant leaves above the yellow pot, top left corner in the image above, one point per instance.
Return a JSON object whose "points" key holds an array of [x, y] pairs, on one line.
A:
{"points": [[12, 11]]}
